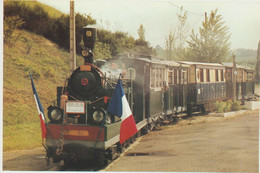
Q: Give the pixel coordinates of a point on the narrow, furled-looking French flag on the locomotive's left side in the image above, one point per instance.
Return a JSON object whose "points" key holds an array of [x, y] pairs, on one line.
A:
{"points": [[40, 110]]}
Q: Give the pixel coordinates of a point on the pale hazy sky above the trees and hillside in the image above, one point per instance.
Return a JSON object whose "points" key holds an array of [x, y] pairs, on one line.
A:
{"points": [[159, 17]]}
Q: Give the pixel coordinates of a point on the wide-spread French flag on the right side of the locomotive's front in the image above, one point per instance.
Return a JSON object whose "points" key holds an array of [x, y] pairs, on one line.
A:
{"points": [[119, 106]]}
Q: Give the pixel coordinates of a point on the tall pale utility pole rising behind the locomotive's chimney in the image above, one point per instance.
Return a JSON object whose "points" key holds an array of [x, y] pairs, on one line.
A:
{"points": [[72, 37]]}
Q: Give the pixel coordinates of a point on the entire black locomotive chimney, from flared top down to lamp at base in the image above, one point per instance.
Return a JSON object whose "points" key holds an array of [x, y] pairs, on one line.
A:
{"points": [[89, 39]]}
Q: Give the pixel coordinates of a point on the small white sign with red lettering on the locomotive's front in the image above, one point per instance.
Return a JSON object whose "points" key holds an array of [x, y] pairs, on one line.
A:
{"points": [[74, 107]]}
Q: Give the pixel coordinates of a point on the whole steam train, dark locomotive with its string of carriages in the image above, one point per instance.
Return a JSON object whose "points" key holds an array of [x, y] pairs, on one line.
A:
{"points": [[81, 128]]}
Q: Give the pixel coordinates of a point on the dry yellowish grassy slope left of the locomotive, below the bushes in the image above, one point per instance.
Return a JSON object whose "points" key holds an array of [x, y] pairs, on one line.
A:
{"points": [[49, 66]]}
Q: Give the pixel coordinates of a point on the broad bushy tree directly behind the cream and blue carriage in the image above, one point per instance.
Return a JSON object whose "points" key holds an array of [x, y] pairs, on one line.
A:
{"points": [[212, 44]]}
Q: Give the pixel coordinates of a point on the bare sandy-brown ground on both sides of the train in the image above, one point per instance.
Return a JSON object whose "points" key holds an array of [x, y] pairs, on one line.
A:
{"points": [[199, 143]]}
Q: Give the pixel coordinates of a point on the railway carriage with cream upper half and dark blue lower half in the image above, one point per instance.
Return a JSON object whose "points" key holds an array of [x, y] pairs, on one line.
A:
{"points": [[206, 84]]}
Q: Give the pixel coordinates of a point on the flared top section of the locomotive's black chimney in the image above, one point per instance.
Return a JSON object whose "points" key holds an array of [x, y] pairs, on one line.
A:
{"points": [[89, 37]]}
